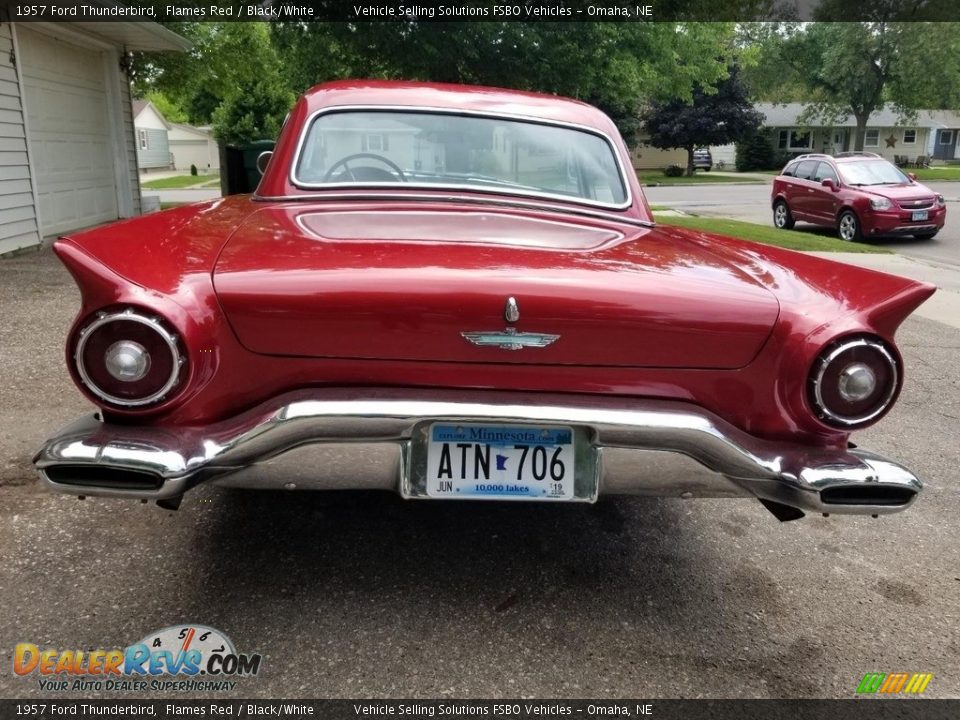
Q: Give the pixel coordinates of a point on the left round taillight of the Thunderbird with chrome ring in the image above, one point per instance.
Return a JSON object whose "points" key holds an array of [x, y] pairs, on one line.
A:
{"points": [[128, 358]]}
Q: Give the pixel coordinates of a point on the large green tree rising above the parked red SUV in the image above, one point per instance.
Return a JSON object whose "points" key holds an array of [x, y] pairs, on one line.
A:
{"points": [[856, 68]]}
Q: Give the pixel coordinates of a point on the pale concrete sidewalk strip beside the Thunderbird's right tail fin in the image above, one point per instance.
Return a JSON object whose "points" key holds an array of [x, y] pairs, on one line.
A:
{"points": [[943, 307]]}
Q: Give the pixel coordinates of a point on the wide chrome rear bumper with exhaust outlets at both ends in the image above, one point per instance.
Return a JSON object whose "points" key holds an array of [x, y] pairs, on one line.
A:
{"points": [[352, 439]]}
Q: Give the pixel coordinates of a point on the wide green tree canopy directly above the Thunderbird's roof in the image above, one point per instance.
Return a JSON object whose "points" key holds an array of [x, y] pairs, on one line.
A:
{"points": [[612, 65]]}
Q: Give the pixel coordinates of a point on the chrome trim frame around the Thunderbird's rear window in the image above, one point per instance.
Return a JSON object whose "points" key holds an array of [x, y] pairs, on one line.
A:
{"points": [[308, 124]]}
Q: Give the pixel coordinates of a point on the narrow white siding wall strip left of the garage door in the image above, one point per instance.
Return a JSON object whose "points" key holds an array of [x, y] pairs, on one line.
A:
{"points": [[18, 220]]}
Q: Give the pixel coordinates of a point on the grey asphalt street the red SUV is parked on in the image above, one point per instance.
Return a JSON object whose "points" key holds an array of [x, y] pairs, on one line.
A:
{"points": [[751, 203]]}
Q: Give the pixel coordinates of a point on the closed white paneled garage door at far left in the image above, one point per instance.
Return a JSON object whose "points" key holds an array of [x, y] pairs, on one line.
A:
{"points": [[65, 100]]}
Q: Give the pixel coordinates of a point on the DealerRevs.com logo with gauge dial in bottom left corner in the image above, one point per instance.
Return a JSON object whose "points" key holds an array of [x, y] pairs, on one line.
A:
{"points": [[177, 658]]}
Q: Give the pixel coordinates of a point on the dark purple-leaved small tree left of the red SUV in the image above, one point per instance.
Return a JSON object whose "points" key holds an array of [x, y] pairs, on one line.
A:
{"points": [[716, 115]]}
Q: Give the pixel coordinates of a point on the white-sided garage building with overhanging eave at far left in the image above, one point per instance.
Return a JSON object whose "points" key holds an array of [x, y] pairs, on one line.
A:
{"points": [[67, 139]]}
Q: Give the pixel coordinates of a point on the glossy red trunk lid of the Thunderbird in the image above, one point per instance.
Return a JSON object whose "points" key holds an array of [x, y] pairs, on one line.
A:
{"points": [[394, 283]]}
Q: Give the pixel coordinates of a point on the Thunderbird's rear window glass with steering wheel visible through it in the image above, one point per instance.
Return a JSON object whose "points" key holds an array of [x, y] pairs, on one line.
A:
{"points": [[437, 150]]}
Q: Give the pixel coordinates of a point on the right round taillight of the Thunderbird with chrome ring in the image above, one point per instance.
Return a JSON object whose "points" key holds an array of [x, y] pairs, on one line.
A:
{"points": [[853, 381]]}
